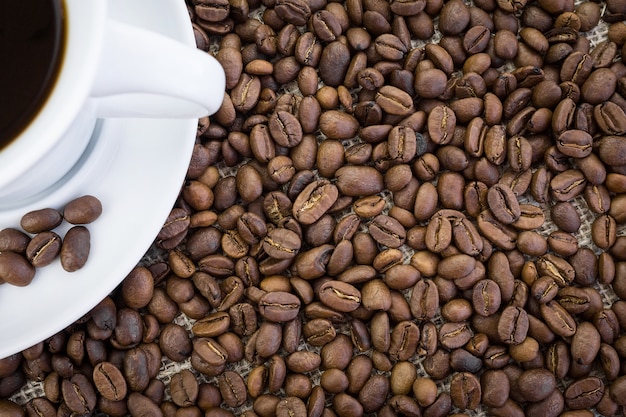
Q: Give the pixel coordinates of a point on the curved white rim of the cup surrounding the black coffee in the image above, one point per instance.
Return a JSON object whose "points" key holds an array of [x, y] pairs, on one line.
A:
{"points": [[84, 27]]}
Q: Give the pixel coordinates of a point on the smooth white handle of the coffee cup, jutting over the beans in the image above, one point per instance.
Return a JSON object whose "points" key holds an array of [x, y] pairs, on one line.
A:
{"points": [[145, 74]]}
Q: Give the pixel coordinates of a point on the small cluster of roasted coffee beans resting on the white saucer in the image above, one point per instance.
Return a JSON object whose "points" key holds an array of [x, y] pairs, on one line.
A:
{"points": [[37, 244]]}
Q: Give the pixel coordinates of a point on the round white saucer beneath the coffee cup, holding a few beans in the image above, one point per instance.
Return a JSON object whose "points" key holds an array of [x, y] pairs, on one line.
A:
{"points": [[136, 168]]}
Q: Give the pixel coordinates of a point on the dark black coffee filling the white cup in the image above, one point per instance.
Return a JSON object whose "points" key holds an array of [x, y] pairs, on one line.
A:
{"points": [[31, 41]]}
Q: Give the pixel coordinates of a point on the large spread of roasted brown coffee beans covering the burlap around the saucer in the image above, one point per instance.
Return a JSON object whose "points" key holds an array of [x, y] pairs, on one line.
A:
{"points": [[402, 208]]}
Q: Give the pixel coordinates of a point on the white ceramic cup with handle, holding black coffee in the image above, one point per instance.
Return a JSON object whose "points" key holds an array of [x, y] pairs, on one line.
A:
{"points": [[110, 68]]}
